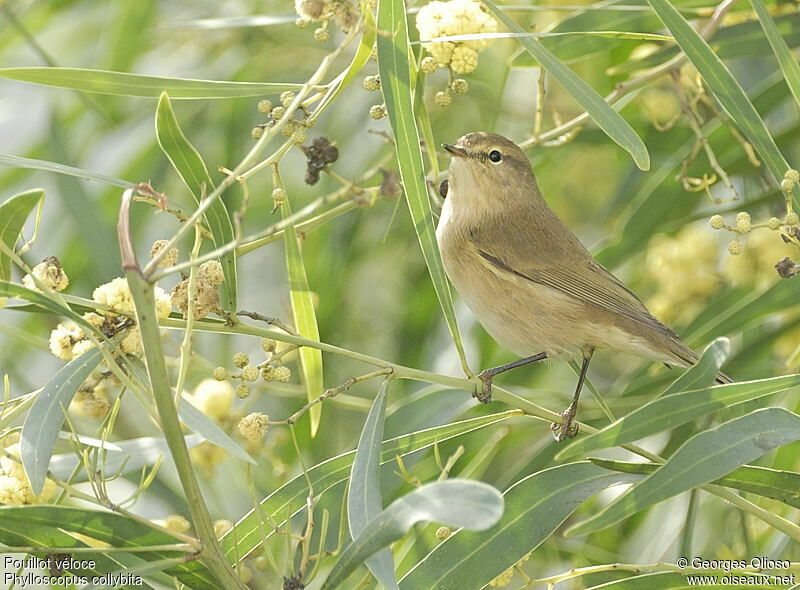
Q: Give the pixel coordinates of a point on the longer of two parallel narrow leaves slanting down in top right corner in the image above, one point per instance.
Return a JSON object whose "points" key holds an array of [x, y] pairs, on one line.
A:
{"points": [[724, 87]]}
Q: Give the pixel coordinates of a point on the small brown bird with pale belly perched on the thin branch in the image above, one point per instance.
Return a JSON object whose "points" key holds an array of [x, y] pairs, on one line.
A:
{"points": [[530, 282]]}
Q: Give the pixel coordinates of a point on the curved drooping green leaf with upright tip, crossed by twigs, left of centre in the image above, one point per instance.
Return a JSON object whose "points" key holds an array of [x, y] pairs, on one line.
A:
{"points": [[193, 172]]}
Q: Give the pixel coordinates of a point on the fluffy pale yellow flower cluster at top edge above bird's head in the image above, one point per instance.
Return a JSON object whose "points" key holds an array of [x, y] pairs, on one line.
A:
{"points": [[456, 17]]}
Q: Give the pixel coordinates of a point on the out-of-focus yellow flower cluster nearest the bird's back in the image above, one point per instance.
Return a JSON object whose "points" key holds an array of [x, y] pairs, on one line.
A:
{"points": [[685, 269]]}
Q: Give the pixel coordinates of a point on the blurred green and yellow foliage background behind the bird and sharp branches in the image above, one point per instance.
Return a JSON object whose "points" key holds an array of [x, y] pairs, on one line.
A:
{"points": [[371, 287]]}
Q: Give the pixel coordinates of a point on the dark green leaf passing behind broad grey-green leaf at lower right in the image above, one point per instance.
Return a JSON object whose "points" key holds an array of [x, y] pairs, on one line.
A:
{"points": [[770, 483]]}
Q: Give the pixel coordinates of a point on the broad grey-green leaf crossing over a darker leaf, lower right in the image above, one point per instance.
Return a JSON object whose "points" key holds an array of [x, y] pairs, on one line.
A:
{"points": [[703, 458]]}
